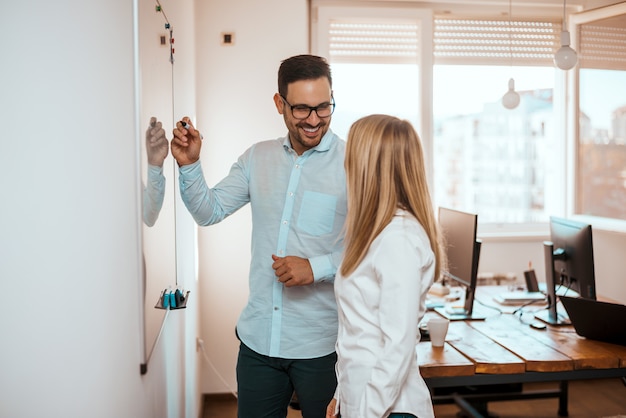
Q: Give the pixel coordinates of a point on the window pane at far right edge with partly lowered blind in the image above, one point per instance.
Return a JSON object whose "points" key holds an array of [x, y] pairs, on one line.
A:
{"points": [[601, 157]]}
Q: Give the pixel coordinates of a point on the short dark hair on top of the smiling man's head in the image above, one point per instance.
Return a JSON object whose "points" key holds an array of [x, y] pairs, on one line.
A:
{"points": [[302, 67]]}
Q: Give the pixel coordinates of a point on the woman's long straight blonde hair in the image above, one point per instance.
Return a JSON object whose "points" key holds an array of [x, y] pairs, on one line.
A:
{"points": [[385, 171]]}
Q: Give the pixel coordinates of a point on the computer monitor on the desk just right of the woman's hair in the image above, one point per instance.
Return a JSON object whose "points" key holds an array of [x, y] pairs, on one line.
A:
{"points": [[463, 253]]}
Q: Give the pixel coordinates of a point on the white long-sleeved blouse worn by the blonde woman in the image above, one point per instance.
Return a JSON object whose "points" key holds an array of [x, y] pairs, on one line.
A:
{"points": [[380, 306]]}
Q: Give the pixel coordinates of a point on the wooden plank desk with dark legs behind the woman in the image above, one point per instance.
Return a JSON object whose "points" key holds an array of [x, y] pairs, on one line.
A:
{"points": [[504, 349]]}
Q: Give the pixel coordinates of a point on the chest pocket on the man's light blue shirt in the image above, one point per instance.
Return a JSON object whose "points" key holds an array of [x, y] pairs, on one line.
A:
{"points": [[317, 213]]}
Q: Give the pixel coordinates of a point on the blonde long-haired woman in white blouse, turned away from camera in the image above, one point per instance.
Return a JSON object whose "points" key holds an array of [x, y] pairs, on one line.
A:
{"points": [[392, 256]]}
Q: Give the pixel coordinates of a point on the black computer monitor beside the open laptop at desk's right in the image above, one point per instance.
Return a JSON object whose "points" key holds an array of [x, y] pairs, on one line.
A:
{"points": [[569, 265]]}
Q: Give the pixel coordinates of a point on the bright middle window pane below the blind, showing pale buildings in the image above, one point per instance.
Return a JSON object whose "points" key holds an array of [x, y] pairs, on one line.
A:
{"points": [[487, 158]]}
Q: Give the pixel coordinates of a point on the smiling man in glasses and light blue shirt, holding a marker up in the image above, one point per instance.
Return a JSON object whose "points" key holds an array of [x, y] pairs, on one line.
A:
{"points": [[297, 192]]}
